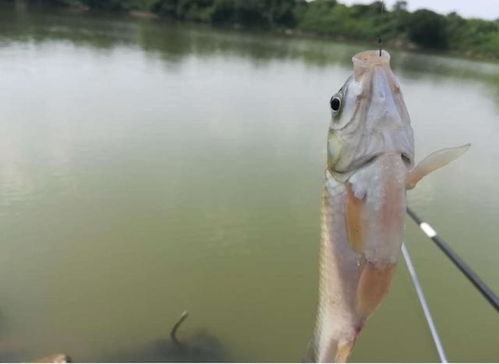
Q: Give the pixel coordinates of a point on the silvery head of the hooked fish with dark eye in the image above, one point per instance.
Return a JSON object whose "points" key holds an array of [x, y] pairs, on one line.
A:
{"points": [[369, 117]]}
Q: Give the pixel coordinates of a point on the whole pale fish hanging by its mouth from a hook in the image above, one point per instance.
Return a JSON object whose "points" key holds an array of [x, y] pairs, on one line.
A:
{"points": [[370, 166]]}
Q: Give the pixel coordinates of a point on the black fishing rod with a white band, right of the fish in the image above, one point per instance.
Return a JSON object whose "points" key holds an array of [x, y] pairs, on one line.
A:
{"points": [[486, 292]]}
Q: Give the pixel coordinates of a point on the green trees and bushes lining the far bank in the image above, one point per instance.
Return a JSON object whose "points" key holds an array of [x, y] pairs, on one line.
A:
{"points": [[398, 26]]}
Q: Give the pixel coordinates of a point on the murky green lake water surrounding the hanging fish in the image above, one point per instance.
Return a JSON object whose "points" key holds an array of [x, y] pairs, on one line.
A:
{"points": [[149, 167]]}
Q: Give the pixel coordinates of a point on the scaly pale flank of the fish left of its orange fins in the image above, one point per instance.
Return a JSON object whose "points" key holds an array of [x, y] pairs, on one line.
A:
{"points": [[337, 321]]}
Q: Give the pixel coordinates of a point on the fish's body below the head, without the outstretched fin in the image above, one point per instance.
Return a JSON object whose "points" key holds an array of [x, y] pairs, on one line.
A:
{"points": [[360, 242]]}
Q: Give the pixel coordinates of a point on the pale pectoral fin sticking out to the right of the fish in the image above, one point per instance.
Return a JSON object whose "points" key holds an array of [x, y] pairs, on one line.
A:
{"points": [[434, 161]]}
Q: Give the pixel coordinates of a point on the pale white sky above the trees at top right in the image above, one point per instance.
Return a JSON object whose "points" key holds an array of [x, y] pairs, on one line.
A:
{"points": [[486, 9]]}
